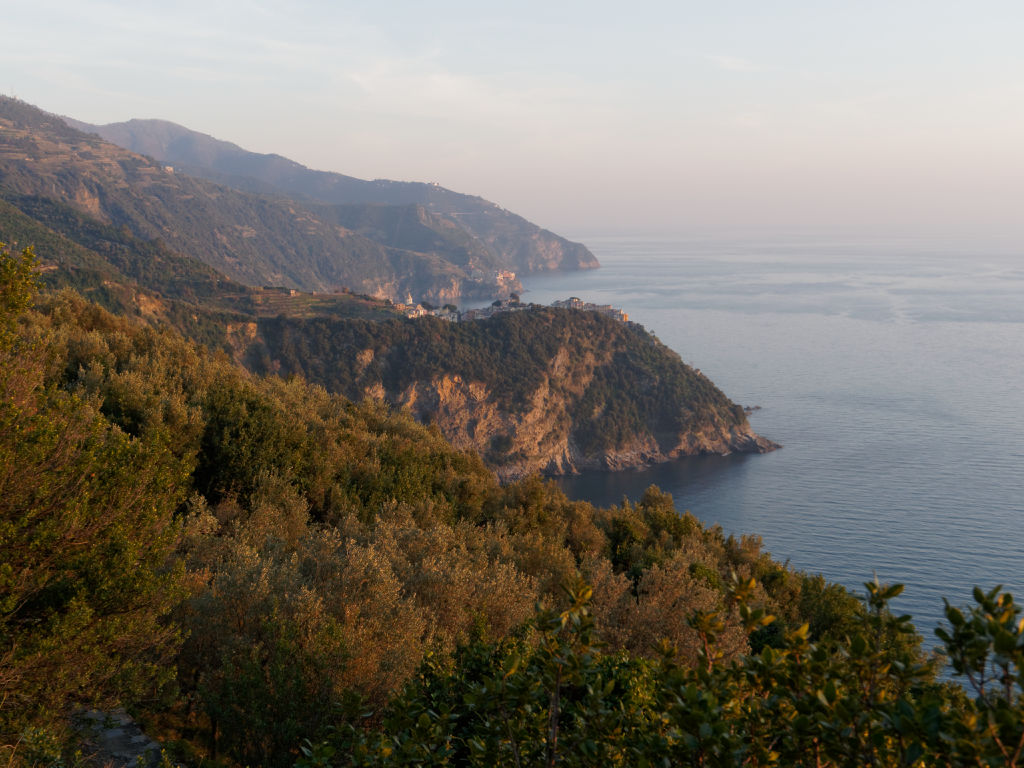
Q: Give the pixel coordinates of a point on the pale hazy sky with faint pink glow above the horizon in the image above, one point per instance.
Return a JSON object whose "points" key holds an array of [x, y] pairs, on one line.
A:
{"points": [[585, 117]]}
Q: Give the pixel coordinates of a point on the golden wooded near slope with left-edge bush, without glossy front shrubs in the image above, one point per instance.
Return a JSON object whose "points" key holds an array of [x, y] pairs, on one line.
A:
{"points": [[246, 556]]}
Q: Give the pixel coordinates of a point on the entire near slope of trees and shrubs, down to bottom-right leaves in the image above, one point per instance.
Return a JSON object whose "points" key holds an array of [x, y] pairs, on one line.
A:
{"points": [[270, 574]]}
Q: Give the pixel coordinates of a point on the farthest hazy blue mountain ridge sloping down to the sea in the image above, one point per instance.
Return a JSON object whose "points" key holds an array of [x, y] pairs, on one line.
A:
{"points": [[509, 241]]}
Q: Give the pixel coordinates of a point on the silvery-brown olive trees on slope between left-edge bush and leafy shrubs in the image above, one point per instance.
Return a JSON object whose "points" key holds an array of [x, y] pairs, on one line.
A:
{"points": [[328, 546]]}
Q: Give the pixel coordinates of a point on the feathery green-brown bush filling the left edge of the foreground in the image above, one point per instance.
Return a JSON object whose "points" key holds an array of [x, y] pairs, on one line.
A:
{"points": [[86, 535]]}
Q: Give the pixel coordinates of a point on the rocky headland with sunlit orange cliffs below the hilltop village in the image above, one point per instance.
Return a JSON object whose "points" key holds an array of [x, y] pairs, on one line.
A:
{"points": [[543, 391]]}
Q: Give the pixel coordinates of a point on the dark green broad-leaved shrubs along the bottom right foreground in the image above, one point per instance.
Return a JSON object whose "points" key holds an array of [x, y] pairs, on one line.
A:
{"points": [[857, 702]]}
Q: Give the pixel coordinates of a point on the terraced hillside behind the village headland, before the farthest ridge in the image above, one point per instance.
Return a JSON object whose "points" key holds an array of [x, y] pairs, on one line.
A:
{"points": [[53, 173]]}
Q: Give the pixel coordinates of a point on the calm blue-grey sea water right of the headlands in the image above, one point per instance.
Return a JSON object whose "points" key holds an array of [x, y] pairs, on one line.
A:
{"points": [[892, 373]]}
